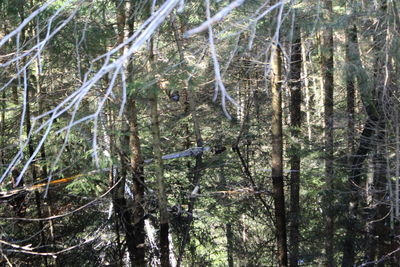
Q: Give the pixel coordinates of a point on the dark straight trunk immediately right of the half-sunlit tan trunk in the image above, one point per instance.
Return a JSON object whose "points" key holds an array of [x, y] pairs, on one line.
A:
{"points": [[295, 116]]}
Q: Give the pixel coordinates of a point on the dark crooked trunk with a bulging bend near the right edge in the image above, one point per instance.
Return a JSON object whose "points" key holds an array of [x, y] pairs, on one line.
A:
{"points": [[371, 136]]}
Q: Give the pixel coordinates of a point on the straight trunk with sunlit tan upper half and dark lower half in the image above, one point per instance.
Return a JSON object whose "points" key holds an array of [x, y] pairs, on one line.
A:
{"points": [[277, 156]]}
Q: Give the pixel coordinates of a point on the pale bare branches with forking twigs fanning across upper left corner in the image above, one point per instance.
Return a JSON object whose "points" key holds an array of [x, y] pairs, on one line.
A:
{"points": [[74, 100]]}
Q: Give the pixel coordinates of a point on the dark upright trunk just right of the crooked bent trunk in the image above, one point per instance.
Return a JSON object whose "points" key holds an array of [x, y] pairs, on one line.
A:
{"points": [[380, 218]]}
